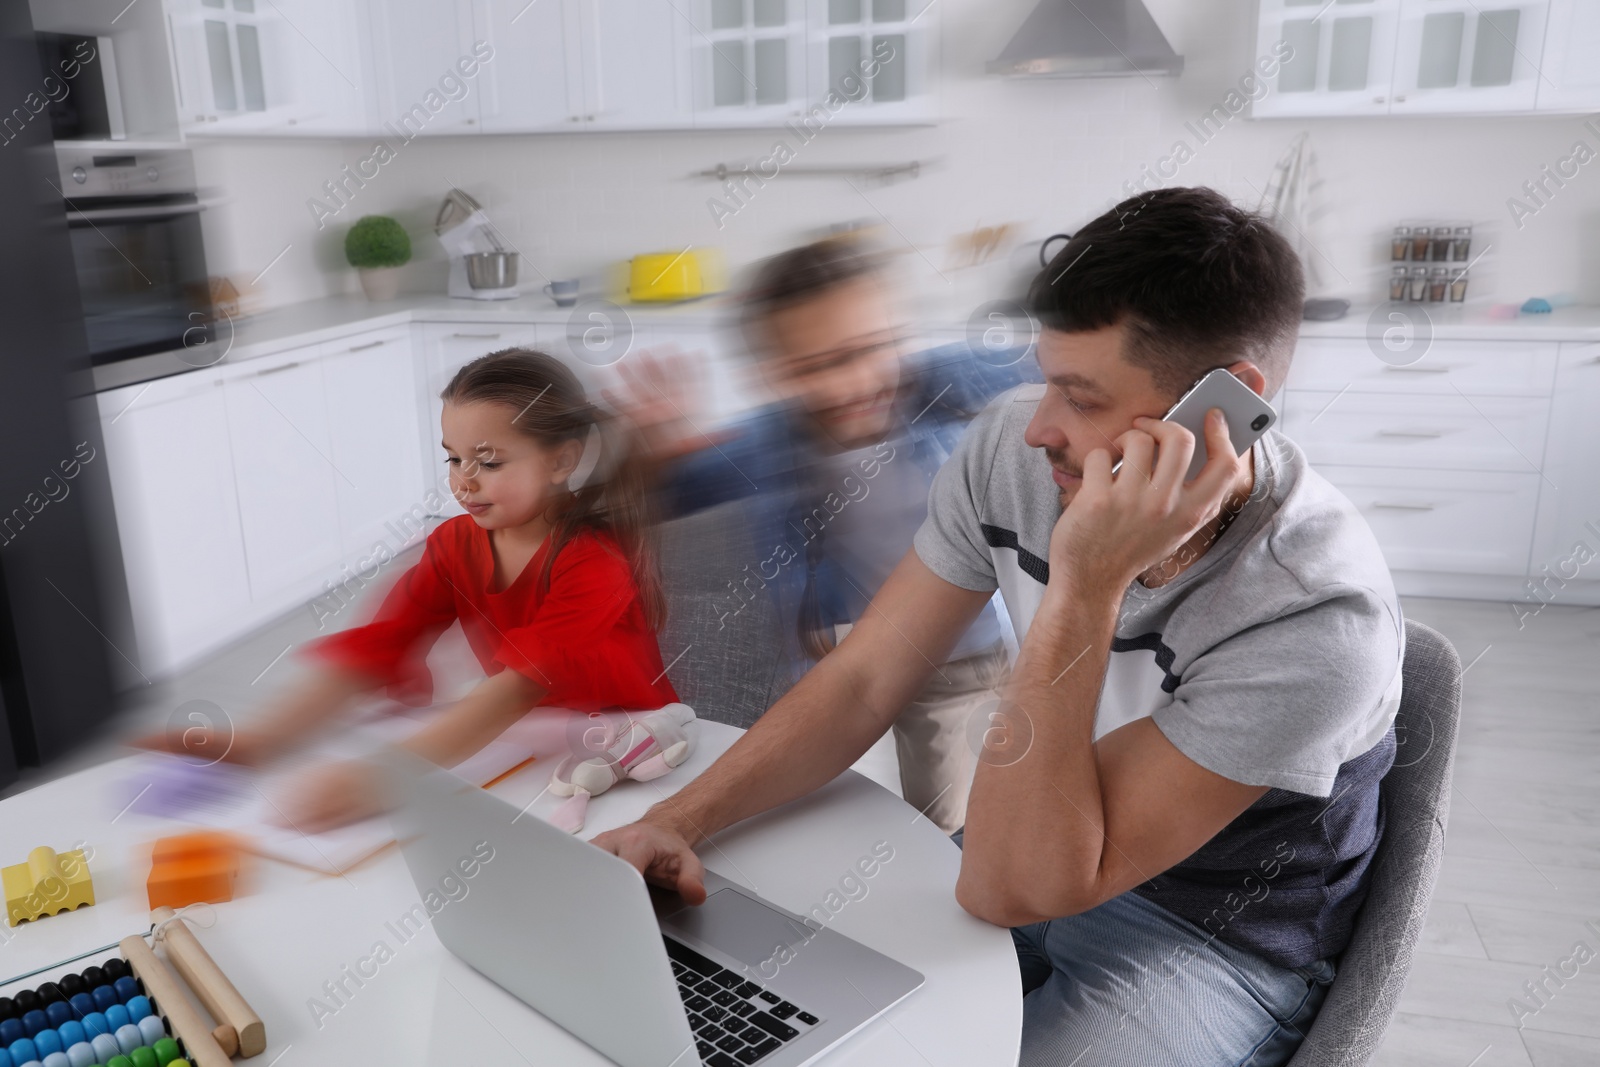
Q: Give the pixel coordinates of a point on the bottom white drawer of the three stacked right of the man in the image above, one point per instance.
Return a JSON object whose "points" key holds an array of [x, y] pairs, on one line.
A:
{"points": [[1446, 521]]}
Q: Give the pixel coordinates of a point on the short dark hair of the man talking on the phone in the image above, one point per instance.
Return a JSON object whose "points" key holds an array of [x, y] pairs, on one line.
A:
{"points": [[1196, 282]]}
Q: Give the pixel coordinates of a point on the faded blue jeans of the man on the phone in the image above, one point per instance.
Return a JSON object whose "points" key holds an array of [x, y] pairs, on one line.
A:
{"points": [[1130, 983]]}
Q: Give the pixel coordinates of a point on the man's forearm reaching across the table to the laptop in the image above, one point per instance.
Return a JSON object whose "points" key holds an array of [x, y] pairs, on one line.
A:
{"points": [[804, 741]]}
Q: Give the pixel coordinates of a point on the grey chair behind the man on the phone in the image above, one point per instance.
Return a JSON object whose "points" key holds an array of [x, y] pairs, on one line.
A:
{"points": [[1417, 805]]}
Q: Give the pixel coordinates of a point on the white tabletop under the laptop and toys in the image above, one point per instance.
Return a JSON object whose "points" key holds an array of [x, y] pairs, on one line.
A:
{"points": [[295, 930]]}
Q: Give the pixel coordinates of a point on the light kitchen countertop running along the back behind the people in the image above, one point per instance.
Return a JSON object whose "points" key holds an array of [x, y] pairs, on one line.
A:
{"points": [[337, 318]]}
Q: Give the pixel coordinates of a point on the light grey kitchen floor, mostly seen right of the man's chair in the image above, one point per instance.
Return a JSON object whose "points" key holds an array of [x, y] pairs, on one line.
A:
{"points": [[1522, 855]]}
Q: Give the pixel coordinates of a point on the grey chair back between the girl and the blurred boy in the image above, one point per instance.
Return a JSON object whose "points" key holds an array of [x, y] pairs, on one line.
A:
{"points": [[722, 641]]}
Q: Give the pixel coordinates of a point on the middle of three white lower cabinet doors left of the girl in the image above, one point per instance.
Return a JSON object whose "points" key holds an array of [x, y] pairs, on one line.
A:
{"points": [[286, 476]]}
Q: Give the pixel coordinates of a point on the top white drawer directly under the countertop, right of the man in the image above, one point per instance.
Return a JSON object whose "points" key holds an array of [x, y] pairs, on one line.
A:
{"points": [[1481, 369]]}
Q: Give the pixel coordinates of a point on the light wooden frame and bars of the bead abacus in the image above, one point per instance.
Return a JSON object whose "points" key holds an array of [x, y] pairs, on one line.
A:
{"points": [[239, 1028]]}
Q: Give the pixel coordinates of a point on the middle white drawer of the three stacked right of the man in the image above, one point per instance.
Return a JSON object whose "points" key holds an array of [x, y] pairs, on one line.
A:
{"points": [[1418, 431]]}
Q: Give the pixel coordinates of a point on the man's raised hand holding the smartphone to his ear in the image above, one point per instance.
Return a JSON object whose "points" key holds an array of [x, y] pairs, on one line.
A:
{"points": [[1118, 529]]}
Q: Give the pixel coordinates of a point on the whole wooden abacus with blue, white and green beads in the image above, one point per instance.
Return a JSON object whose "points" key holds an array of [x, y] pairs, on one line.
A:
{"points": [[130, 1010]]}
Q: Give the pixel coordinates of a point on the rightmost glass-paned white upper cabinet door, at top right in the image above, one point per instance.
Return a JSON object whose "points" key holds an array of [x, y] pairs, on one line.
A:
{"points": [[1460, 57]]}
